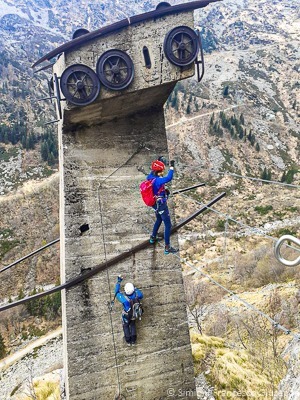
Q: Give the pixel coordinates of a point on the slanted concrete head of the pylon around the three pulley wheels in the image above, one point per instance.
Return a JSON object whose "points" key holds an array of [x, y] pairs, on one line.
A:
{"points": [[114, 104]]}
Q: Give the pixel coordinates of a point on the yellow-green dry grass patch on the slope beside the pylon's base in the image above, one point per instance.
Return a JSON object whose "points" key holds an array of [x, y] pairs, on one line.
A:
{"points": [[234, 373]]}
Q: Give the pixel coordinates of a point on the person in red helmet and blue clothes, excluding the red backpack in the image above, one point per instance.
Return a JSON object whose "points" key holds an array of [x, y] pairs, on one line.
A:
{"points": [[161, 207]]}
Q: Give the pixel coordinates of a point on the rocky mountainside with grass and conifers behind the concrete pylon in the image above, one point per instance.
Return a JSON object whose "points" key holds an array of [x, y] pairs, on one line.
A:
{"points": [[241, 119]]}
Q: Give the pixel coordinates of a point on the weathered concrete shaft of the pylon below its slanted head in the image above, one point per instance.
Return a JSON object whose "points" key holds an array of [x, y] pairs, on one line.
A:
{"points": [[107, 198]]}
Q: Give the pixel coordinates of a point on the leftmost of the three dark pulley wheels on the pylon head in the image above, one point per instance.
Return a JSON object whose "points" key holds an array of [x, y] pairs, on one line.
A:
{"points": [[80, 85]]}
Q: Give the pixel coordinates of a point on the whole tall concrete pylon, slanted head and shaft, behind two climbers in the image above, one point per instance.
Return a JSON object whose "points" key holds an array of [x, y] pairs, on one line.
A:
{"points": [[102, 142]]}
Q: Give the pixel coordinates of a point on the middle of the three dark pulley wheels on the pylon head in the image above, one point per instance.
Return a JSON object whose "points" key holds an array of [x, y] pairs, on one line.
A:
{"points": [[115, 69]]}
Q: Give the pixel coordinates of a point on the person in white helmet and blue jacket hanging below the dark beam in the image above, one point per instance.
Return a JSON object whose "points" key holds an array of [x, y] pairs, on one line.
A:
{"points": [[132, 309]]}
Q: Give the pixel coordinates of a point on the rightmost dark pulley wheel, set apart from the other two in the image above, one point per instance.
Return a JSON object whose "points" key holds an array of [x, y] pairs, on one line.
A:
{"points": [[181, 46]]}
